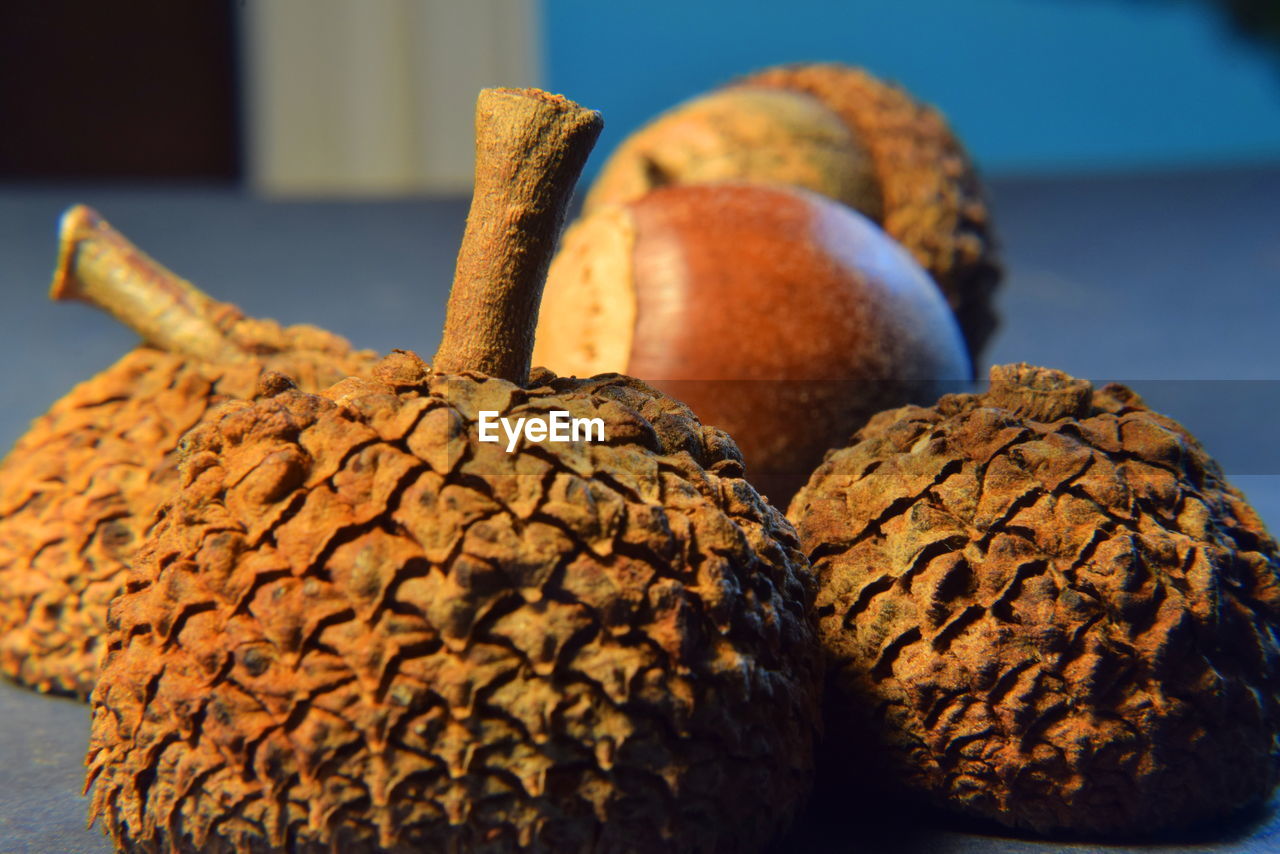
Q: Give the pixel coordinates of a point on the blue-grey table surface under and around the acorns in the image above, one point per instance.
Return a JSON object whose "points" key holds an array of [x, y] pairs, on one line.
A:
{"points": [[1171, 282]]}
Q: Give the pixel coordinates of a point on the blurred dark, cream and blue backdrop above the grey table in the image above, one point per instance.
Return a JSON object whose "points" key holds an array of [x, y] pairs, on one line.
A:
{"points": [[330, 98]]}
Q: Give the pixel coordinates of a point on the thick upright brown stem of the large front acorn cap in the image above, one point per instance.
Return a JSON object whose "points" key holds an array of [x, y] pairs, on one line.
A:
{"points": [[531, 149]]}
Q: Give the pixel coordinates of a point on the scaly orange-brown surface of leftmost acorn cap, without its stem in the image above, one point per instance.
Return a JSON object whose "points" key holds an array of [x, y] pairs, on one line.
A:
{"points": [[79, 491]]}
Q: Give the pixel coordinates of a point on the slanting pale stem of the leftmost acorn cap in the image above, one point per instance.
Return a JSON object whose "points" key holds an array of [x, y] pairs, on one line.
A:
{"points": [[99, 266]]}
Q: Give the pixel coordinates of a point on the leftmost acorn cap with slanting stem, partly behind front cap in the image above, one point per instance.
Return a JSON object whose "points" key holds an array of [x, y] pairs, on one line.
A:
{"points": [[80, 488]]}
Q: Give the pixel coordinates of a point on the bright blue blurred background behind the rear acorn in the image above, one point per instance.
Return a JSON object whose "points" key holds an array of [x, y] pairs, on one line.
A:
{"points": [[1032, 86]]}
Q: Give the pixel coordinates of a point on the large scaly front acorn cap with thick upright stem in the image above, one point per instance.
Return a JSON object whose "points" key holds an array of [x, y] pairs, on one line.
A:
{"points": [[359, 629]]}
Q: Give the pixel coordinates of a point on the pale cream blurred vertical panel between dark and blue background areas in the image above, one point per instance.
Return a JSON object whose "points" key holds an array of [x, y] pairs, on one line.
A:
{"points": [[376, 99]]}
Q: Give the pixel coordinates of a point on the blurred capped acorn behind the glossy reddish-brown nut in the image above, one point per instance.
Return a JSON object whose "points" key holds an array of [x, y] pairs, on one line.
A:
{"points": [[842, 133]]}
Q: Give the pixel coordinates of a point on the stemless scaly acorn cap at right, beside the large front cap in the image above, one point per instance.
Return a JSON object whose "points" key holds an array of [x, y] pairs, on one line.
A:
{"points": [[1044, 605]]}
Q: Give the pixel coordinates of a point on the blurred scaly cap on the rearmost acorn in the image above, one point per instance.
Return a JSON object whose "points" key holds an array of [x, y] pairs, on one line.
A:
{"points": [[931, 199]]}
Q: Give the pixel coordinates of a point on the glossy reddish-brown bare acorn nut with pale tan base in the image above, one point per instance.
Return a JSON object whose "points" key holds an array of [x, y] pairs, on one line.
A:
{"points": [[776, 314]]}
